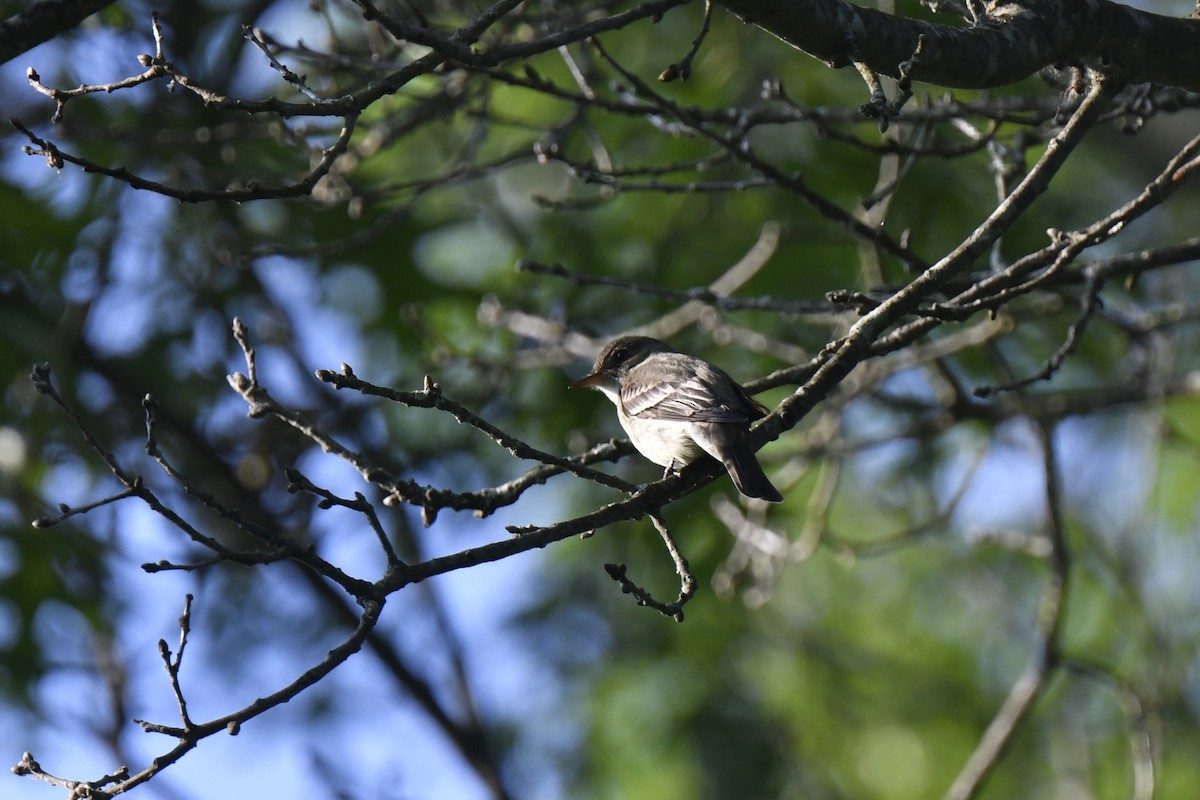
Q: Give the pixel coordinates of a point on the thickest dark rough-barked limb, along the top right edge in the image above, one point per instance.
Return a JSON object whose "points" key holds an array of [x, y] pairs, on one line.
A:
{"points": [[1016, 40]]}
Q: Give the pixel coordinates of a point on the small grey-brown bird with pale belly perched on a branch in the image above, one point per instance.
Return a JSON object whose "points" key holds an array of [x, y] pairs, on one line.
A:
{"points": [[676, 407]]}
